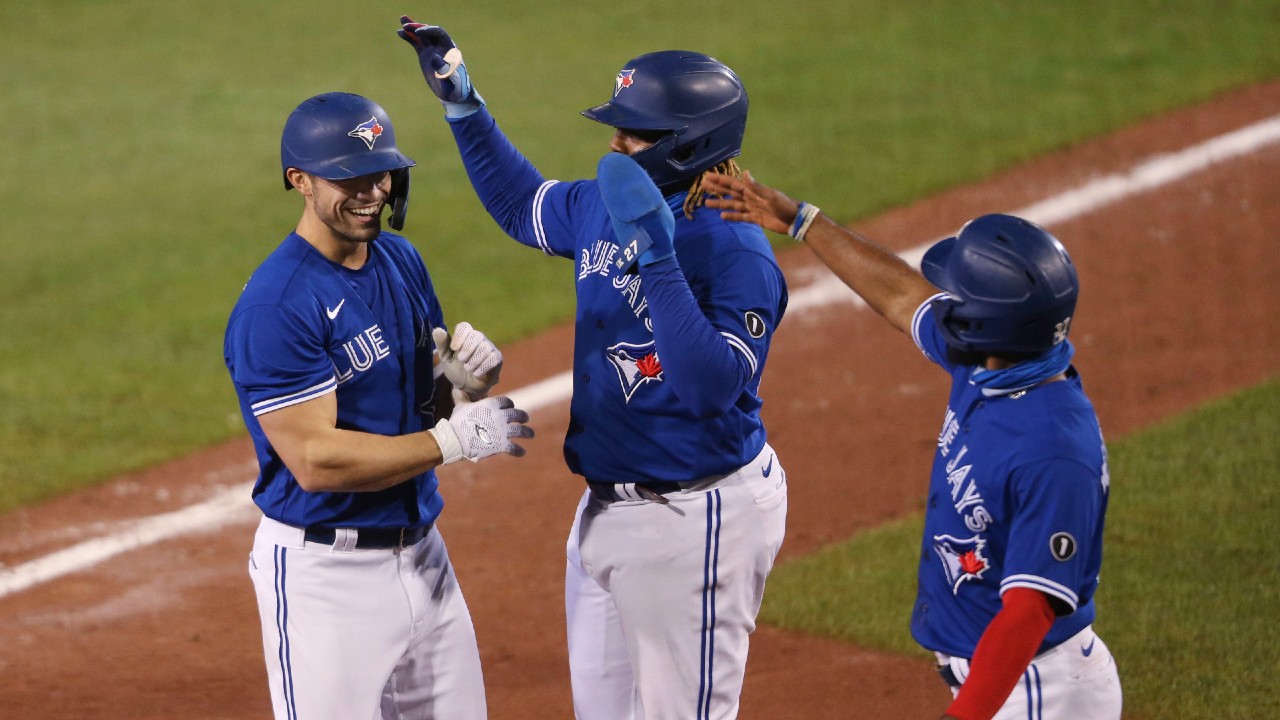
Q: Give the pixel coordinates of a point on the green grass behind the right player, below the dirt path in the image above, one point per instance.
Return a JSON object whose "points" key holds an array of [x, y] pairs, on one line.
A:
{"points": [[1191, 576]]}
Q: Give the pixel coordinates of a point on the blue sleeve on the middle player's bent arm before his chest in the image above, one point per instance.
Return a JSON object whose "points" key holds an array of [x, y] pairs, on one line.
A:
{"points": [[701, 363]]}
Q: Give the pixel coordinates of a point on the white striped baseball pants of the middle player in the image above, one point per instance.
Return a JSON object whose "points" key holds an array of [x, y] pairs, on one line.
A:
{"points": [[661, 599]]}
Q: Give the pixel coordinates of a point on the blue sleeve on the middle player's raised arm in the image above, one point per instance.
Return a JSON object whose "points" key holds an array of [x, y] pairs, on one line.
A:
{"points": [[506, 183]]}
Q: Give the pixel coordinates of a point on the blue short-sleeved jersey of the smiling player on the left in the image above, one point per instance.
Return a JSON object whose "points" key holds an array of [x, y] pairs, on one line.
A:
{"points": [[304, 327]]}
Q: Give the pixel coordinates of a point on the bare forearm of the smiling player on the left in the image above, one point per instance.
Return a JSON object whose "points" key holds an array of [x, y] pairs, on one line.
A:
{"points": [[356, 462]]}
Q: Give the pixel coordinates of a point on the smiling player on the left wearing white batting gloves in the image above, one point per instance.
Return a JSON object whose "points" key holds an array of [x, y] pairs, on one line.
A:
{"points": [[331, 352]]}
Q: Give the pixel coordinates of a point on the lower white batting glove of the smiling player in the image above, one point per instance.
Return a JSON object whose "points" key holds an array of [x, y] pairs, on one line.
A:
{"points": [[481, 430]]}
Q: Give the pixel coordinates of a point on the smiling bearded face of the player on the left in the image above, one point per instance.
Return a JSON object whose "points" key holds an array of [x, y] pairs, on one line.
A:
{"points": [[342, 216]]}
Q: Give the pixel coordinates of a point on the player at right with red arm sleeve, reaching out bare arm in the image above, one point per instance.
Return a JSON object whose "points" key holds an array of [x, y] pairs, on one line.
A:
{"points": [[1013, 530]]}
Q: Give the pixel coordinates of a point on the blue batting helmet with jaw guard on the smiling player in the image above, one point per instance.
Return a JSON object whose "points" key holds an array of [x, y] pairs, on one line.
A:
{"points": [[342, 136]]}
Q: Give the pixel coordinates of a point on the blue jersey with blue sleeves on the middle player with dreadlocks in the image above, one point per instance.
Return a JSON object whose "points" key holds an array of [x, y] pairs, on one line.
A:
{"points": [[668, 362]]}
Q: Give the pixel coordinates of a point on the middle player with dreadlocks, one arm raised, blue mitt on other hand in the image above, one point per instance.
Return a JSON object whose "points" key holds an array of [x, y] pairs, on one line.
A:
{"points": [[685, 502]]}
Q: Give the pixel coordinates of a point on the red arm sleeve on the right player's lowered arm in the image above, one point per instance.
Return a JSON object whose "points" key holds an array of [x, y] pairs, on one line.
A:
{"points": [[1007, 648]]}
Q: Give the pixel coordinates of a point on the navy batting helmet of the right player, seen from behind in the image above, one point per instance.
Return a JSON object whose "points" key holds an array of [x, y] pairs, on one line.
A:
{"points": [[1012, 286]]}
